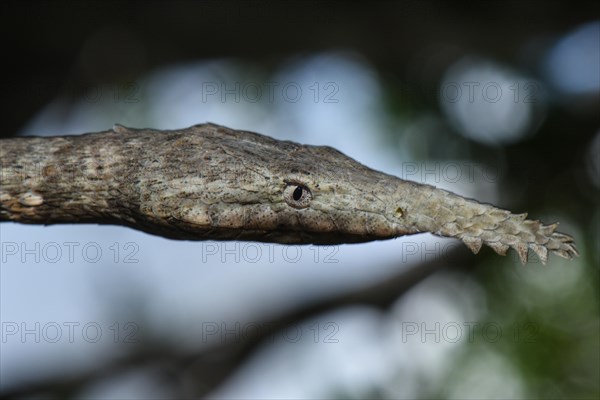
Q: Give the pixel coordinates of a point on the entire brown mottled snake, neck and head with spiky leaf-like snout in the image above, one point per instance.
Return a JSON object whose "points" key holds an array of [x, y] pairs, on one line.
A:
{"points": [[209, 182]]}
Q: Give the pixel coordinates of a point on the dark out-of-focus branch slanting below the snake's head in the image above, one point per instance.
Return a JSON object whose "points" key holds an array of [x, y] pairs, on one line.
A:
{"points": [[203, 371]]}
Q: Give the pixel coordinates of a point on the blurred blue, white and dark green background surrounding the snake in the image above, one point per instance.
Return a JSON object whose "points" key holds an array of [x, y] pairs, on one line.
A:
{"points": [[493, 100]]}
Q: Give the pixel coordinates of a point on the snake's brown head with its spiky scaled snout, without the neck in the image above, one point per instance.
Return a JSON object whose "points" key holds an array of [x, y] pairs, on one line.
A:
{"points": [[245, 186]]}
